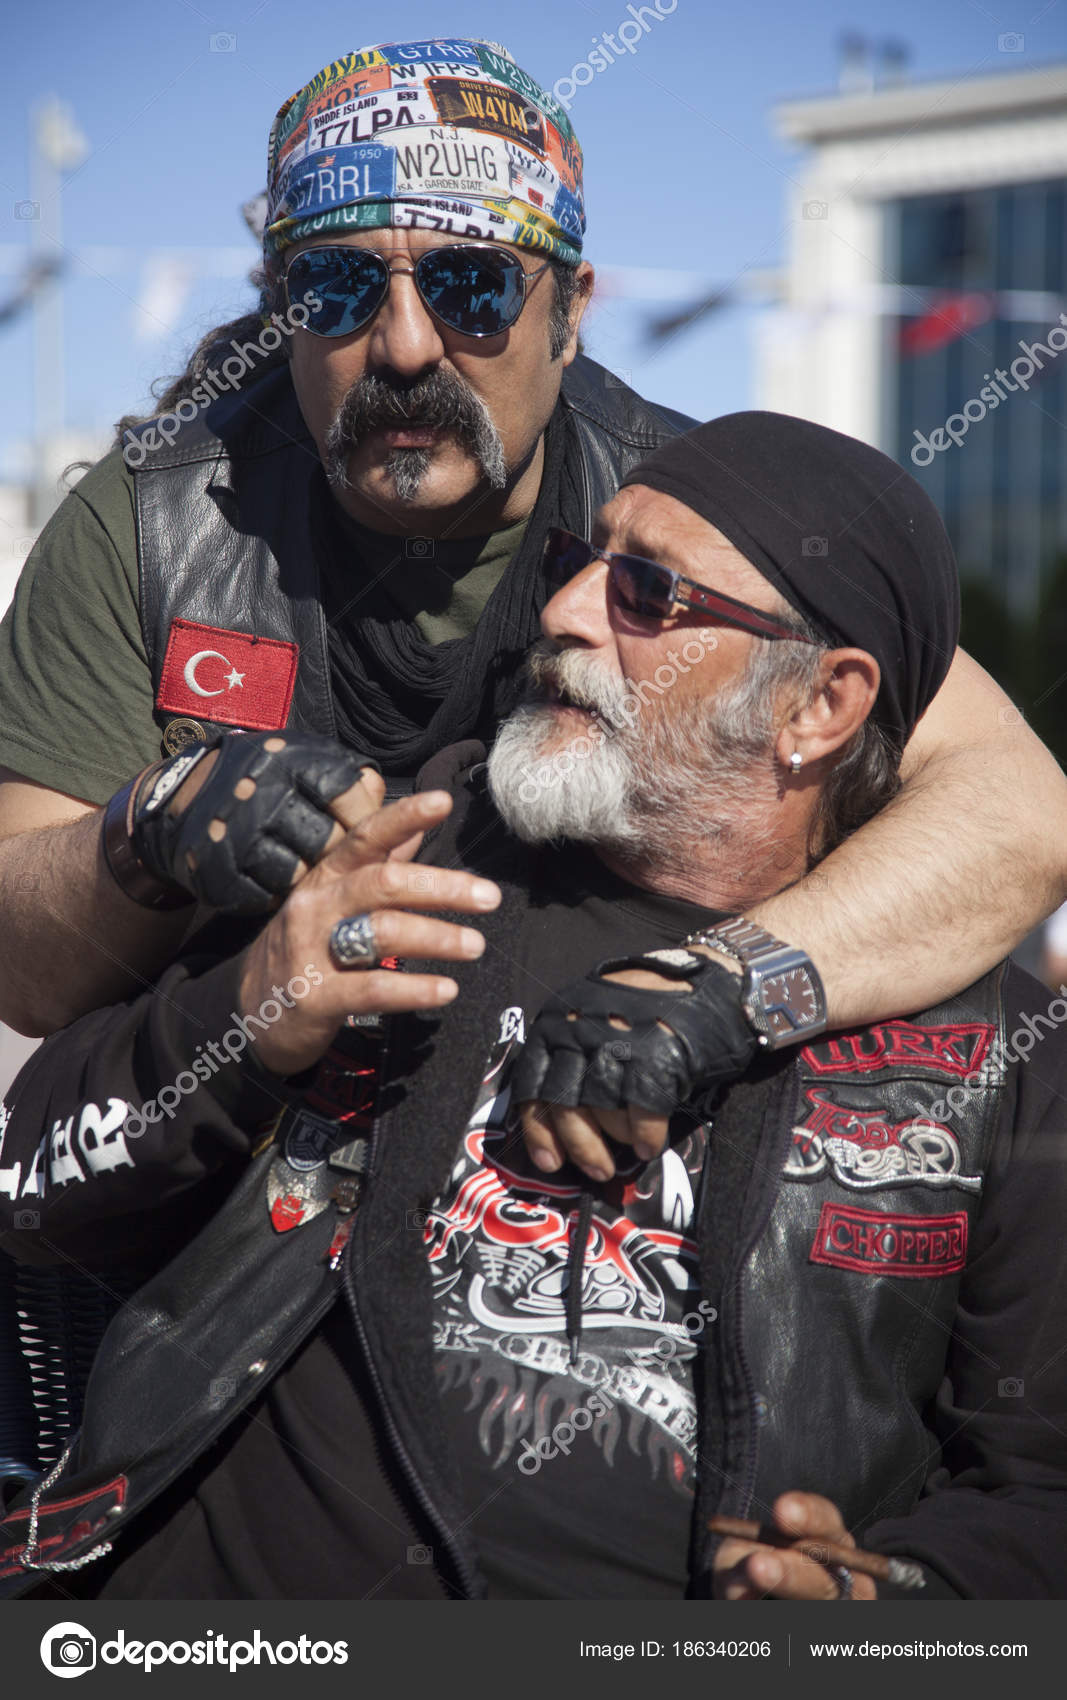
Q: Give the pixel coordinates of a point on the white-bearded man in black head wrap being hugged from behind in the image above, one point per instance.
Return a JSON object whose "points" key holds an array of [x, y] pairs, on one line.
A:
{"points": [[832, 1301]]}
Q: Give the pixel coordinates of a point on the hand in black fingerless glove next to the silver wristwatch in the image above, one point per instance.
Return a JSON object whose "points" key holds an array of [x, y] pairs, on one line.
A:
{"points": [[589, 1070]]}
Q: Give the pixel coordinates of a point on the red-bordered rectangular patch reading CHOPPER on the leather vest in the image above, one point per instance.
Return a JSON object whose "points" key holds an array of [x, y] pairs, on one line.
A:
{"points": [[889, 1244]]}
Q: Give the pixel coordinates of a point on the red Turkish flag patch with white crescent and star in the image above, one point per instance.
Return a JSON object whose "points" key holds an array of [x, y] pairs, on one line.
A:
{"points": [[229, 677]]}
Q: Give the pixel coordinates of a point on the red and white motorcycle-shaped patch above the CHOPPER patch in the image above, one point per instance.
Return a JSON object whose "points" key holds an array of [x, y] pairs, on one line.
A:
{"points": [[862, 1150]]}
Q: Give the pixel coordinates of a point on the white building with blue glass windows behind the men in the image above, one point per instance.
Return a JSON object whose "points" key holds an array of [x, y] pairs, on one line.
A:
{"points": [[929, 244]]}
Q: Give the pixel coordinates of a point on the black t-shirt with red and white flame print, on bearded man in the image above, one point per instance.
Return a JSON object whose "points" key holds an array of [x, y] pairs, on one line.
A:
{"points": [[577, 1458]]}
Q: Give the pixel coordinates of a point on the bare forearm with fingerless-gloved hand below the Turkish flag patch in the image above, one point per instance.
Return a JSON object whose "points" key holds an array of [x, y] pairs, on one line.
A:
{"points": [[271, 808]]}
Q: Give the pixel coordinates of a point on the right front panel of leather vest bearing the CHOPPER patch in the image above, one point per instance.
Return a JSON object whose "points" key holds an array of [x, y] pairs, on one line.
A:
{"points": [[850, 1293]]}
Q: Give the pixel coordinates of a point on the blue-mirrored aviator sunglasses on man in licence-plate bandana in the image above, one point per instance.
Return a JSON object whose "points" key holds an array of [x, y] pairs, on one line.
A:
{"points": [[475, 290]]}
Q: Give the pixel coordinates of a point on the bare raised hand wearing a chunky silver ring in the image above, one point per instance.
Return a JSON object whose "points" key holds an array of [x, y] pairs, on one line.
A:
{"points": [[368, 873]]}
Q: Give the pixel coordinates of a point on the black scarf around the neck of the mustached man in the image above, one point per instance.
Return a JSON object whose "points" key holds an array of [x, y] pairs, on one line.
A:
{"points": [[400, 698]]}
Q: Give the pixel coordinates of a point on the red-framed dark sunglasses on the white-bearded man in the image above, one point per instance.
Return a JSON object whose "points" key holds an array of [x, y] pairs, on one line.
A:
{"points": [[653, 591]]}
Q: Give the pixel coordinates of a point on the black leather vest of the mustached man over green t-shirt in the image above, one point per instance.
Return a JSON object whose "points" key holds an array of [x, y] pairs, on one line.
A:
{"points": [[223, 521]]}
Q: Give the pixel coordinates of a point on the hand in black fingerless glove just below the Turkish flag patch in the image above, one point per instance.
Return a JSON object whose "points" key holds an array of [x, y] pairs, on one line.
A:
{"points": [[237, 827]]}
